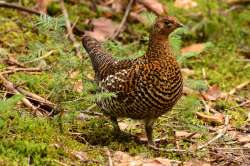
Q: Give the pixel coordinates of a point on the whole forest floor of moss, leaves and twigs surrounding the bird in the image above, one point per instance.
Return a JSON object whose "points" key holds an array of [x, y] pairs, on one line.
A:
{"points": [[47, 111]]}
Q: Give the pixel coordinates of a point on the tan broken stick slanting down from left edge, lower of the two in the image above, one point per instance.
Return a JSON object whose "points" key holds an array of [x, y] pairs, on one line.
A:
{"points": [[10, 86]]}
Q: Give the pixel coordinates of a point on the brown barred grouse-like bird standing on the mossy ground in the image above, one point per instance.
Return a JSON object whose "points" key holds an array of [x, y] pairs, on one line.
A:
{"points": [[146, 87]]}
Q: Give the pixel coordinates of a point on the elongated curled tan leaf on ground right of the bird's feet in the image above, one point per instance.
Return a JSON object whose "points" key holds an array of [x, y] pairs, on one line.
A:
{"points": [[217, 118]]}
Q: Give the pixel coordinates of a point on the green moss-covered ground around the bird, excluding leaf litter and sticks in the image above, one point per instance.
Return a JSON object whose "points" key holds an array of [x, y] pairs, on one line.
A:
{"points": [[56, 140]]}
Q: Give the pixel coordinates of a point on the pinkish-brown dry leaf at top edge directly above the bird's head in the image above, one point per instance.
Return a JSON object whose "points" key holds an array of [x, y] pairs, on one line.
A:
{"points": [[154, 5]]}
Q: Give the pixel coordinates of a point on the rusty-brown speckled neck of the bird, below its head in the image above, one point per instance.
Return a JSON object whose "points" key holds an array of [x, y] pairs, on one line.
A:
{"points": [[158, 47]]}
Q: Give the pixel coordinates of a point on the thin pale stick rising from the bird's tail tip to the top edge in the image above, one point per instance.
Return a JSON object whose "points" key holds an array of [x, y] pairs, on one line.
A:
{"points": [[69, 29]]}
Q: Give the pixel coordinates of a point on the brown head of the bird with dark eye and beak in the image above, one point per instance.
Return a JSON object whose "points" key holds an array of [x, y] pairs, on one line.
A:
{"points": [[165, 25]]}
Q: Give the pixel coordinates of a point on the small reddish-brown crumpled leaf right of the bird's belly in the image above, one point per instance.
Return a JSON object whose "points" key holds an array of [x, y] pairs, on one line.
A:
{"points": [[213, 93]]}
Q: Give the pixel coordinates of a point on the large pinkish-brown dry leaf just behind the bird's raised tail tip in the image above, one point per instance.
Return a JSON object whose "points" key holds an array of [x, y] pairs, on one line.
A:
{"points": [[103, 28]]}
